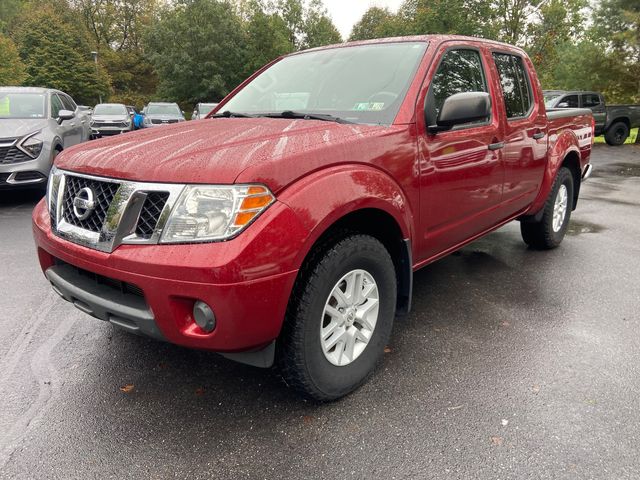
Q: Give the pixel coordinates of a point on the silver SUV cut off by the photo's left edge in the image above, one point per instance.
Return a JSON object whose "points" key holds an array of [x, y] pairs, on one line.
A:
{"points": [[35, 125]]}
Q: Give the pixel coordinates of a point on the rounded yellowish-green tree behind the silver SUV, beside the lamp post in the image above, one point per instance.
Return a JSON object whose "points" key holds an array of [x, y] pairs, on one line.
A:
{"points": [[57, 53]]}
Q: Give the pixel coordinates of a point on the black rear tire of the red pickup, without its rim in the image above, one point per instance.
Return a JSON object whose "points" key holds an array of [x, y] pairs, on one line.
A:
{"points": [[541, 235]]}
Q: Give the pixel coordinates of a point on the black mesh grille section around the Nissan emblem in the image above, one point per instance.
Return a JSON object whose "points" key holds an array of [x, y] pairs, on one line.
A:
{"points": [[104, 193]]}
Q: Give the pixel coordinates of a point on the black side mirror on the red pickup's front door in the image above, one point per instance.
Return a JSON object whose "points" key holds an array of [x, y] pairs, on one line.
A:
{"points": [[462, 108]]}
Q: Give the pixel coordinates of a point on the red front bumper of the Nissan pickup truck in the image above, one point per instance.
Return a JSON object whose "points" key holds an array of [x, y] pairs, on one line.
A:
{"points": [[246, 281]]}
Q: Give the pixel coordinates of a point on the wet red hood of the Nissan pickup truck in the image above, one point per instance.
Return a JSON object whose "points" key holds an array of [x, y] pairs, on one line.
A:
{"points": [[271, 151]]}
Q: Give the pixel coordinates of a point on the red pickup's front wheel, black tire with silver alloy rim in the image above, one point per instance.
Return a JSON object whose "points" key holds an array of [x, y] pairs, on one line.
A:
{"points": [[339, 319]]}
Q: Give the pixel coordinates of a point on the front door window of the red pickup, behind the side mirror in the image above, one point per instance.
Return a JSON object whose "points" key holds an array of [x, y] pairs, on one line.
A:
{"points": [[459, 71]]}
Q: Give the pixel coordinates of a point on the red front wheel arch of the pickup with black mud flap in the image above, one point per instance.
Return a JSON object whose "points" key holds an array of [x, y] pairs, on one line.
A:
{"points": [[358, 200]]}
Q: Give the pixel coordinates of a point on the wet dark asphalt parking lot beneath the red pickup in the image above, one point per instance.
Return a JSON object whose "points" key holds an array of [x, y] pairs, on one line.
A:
{"points": [[513, 364]]}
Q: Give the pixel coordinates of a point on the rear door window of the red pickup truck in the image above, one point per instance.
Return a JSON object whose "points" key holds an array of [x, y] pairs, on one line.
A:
{"points": [[515, 85]]}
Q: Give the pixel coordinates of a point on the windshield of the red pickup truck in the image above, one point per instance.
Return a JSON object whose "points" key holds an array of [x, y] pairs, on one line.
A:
{"points": [[361, 84]]}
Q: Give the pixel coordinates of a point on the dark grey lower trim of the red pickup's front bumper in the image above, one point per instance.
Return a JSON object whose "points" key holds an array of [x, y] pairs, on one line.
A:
{"points": [[124, 310]]}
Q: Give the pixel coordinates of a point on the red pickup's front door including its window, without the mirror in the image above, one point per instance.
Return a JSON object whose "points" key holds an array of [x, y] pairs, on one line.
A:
{"points": [[461, 169]]}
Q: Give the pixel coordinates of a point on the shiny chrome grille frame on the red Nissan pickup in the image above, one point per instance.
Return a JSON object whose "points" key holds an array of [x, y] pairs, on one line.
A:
{"points": [[122, 216]]}
